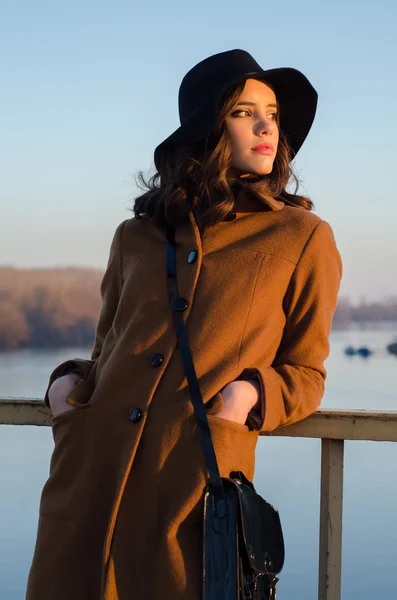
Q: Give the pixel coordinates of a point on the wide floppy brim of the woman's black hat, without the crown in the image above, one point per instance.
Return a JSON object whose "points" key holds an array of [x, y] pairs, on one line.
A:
{"points": [[296, 97]]}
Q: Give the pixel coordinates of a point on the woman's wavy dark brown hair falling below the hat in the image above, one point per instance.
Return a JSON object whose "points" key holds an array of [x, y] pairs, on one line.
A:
{"points": [[195, 177]]}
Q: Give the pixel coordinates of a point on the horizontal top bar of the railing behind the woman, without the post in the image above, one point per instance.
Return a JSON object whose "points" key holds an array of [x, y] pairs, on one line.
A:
{"points": [[372, 425]]}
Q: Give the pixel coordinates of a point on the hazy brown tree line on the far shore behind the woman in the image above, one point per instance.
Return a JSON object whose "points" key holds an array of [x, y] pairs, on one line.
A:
{"points": [[44, 308]]}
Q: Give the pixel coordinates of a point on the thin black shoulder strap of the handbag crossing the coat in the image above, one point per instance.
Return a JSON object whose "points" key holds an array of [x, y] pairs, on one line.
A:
{"points": [[177, 307]]}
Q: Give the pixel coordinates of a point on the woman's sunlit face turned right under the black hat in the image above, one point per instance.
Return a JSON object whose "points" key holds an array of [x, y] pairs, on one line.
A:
{"points": [[250, 123]]}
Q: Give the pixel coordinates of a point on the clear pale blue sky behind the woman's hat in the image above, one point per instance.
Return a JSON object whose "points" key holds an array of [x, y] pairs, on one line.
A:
{"points": [[90, 88]]}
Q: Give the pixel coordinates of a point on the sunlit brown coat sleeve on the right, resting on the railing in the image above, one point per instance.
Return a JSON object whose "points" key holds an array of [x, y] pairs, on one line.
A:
{"points": [[293, 386]]}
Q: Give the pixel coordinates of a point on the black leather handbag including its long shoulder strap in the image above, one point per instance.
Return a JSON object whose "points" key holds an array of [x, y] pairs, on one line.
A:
{"points": [[243, 545]]}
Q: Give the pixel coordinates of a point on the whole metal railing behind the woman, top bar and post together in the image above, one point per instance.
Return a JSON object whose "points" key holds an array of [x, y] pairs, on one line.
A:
{"points": [[333, 427]]}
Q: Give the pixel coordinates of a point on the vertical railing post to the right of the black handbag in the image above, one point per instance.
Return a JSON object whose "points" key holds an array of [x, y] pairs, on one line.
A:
{"points": [[330, 555]]}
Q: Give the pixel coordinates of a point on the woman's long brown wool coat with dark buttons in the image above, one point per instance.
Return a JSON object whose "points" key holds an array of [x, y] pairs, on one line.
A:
{"points": [[120, 514]]}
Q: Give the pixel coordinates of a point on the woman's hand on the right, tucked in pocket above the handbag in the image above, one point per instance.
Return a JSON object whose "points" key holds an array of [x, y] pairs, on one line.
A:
{"points": [[239, 398]]}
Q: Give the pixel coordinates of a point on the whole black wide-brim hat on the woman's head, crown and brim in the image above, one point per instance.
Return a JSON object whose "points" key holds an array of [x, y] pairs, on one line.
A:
{"points": [[204, 85]]}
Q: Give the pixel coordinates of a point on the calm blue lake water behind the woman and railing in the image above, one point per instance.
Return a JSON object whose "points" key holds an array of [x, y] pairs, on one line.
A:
{"points": [[287, 474]]}
